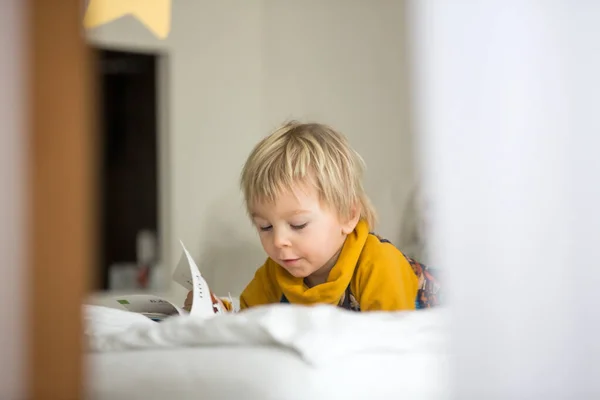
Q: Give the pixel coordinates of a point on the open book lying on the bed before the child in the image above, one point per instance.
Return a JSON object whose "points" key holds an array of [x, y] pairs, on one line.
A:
{"points": [[187, 275]]}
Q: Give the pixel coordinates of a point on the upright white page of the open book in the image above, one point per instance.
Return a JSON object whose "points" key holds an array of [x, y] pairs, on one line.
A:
{"points": [[188, 275]]}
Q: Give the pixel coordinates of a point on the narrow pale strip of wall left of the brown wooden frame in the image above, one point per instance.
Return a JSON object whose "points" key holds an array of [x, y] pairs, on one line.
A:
{"points": [[12, 202]]}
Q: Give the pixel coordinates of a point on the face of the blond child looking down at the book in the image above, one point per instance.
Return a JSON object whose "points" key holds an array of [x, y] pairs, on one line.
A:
{"points": [[301, 235]]}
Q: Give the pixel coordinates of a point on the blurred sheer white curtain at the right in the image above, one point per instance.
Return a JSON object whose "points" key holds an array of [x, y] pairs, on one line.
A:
{"points": [[507, 113]]}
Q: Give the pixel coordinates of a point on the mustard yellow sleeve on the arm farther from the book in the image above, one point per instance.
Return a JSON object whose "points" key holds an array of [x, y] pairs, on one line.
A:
{"points": [[386, 282]]}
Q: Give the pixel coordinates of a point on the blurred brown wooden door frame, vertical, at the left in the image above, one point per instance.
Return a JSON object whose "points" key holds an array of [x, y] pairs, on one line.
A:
{"points": [[62, 169]]}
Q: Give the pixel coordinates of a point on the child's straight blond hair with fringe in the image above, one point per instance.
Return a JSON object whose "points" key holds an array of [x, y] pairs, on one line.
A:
{"points": [[307, 153]]}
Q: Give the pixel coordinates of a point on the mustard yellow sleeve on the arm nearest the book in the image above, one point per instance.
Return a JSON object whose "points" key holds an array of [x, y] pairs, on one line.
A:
{"points": [[262, 289]]}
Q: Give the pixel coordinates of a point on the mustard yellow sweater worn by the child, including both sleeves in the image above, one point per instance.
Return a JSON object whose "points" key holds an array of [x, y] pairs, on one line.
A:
{"points": [[377, 274]]}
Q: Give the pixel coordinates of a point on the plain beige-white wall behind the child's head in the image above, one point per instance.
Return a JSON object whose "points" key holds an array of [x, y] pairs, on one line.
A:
{"points": [[237, 69]]}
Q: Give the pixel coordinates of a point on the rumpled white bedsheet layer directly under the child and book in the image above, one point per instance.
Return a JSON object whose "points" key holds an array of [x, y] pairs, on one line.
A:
{"points": [[318, 334]]}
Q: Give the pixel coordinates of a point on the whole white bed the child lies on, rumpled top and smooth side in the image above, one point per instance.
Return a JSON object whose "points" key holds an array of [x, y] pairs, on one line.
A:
{"points": [[276, 352]]}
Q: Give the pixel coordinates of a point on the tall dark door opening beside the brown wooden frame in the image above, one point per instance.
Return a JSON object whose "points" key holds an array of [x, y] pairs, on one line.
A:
{"points": [[129, 203]]}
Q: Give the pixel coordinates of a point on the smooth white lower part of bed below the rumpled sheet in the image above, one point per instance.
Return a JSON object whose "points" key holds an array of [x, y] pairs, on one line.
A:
{"points": [[262, 373]]}
